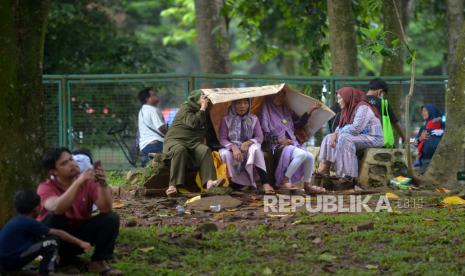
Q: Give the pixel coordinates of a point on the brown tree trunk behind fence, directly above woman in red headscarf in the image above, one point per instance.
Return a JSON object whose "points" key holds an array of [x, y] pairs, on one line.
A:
{"points": [[342, 40]]}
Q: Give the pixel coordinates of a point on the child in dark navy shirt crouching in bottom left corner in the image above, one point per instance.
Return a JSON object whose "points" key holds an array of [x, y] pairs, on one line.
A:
{"points": [[23, 238]]}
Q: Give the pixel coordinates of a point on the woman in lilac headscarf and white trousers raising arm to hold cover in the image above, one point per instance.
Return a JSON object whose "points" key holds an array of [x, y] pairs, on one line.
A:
{"points": [[278, 125]]}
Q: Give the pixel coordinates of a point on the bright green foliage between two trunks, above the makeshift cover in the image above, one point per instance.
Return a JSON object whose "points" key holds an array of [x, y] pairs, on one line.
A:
{"points": [[280, 30]]}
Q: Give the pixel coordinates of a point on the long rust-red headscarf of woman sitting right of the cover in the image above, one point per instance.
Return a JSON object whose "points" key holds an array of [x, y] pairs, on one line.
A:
{"points": [[353, 98]]}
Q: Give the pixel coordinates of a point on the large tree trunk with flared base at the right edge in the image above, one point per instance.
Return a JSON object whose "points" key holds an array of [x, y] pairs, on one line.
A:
{"points": [[449, 156]]}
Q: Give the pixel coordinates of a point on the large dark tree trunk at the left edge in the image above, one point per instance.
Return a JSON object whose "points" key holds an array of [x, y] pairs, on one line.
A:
{"points": [[22, 33]]}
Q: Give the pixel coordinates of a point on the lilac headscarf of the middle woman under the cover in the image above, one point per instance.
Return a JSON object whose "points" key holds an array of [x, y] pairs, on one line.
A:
{"points": [[240, 127]]}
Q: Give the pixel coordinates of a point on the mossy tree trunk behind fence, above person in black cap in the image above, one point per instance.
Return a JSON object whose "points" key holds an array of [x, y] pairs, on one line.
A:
{"points": [[393, 65]]}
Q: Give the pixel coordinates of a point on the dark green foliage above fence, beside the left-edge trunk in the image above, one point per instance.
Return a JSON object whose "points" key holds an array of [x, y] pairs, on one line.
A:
{"points": [[101, 37]]}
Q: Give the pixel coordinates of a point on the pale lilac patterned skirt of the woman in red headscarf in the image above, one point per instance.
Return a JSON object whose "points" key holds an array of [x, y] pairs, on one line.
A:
{"points": [[344, 154]]}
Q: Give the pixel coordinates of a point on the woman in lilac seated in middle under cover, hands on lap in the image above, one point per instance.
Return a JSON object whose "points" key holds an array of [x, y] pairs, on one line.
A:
{"points": [[241, 136]]}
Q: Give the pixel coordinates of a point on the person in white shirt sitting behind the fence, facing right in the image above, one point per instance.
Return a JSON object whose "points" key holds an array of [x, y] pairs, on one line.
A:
{"points": [[152, 125]]}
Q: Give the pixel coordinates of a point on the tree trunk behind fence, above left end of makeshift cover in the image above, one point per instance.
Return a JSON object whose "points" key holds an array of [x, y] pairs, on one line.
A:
{"points": [[212, 37]]}
